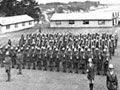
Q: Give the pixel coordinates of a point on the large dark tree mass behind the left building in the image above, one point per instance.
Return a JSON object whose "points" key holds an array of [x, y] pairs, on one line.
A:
{"points": [[14, 7]]}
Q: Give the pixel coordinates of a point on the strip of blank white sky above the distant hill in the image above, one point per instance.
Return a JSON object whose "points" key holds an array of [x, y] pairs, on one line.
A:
{"points": [[65, 1]]}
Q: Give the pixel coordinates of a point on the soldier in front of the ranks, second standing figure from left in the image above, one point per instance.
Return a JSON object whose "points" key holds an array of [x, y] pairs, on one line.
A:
{"points": [[19, 61]]}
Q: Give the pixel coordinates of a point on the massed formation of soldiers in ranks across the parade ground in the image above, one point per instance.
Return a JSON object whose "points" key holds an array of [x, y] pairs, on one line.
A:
{"points": [[65, 52]]}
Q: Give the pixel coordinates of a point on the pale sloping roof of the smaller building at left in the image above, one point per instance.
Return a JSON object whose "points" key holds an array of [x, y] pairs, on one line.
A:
{"points": [[15, 19]]}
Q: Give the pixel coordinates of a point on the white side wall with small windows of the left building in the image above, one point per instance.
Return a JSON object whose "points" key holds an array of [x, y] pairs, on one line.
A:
{"points": [[17, 27]]}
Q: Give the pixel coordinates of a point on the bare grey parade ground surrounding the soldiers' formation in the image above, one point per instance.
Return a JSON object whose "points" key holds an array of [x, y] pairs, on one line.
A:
{"points": [[46, 80]]}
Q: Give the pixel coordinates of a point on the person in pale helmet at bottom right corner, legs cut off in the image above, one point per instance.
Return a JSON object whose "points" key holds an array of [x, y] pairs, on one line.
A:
{"points": [[112, 81]]}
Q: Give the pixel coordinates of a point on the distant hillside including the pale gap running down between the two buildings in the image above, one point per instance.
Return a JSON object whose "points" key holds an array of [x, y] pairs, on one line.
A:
{"points": [[49, 9]]}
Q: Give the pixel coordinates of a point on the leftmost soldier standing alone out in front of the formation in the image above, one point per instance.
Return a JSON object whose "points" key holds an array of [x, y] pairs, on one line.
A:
{"points": [[8, 64]]}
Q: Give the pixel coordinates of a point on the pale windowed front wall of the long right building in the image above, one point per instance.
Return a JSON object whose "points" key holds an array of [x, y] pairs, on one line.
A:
{"points": [[108, 23]]}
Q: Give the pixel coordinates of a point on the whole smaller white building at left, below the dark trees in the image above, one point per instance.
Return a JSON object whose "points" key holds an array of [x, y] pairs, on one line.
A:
{"points": [[15, 23]]}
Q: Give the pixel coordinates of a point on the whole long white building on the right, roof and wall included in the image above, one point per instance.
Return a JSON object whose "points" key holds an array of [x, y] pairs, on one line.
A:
{"points": [[90, 19]]}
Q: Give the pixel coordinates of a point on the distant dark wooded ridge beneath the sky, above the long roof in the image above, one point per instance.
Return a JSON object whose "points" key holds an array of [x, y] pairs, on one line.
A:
{"points": [[71, 6]]}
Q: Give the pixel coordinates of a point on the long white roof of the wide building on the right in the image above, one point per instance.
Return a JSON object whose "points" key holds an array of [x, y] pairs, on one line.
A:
{"points": [[82, 16]]}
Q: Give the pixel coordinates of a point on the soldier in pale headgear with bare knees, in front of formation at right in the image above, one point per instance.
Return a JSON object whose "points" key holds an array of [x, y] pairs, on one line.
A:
{"points": [[90, 73]]}
